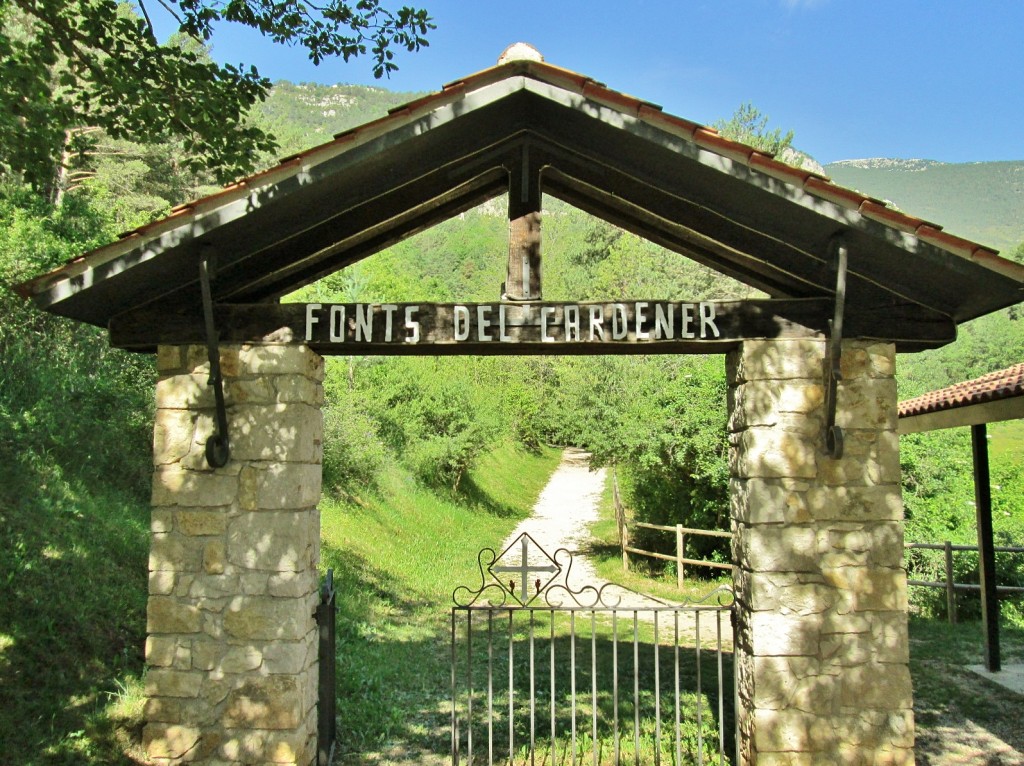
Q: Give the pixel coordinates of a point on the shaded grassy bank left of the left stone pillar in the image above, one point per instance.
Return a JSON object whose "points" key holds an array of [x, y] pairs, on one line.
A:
{"points": [[73, 571]]}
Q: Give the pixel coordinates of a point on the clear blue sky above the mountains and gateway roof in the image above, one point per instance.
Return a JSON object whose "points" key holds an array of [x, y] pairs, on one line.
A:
{"points": [[933, 79]]}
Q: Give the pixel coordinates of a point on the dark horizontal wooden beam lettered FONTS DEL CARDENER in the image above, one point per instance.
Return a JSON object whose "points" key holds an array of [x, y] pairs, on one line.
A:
{"points": [[537, 328]]}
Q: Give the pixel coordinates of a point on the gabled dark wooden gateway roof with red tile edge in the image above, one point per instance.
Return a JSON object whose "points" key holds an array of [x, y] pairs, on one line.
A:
{"points": [[533, 129]]}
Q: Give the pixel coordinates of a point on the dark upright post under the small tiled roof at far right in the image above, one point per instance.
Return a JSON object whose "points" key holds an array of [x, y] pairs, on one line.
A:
{"points": [[987, 549]]}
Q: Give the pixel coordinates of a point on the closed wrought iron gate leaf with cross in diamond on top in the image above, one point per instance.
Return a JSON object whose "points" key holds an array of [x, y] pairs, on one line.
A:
{"points": [[543, 673]]}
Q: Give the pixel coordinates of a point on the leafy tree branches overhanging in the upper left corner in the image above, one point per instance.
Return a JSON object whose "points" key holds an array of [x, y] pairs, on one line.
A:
{"points": [[66, 65]]}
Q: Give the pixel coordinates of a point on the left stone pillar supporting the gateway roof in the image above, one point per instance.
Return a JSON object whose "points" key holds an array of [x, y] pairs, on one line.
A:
{"points": [[232, 647]]}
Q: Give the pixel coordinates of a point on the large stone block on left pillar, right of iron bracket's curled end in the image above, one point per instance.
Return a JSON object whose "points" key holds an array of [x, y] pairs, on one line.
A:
{"points": [[284, 434]]}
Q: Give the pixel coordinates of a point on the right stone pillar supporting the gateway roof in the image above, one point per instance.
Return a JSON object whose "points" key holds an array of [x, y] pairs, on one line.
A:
{"points": [[822, 644]]}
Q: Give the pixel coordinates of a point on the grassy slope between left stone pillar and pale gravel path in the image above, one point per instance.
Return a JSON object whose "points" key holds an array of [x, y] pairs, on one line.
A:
{"points": [[398, 555]]}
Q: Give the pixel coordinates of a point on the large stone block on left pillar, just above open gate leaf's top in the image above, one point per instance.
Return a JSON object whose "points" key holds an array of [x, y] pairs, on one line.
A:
{"points": [[275, 541]]}
